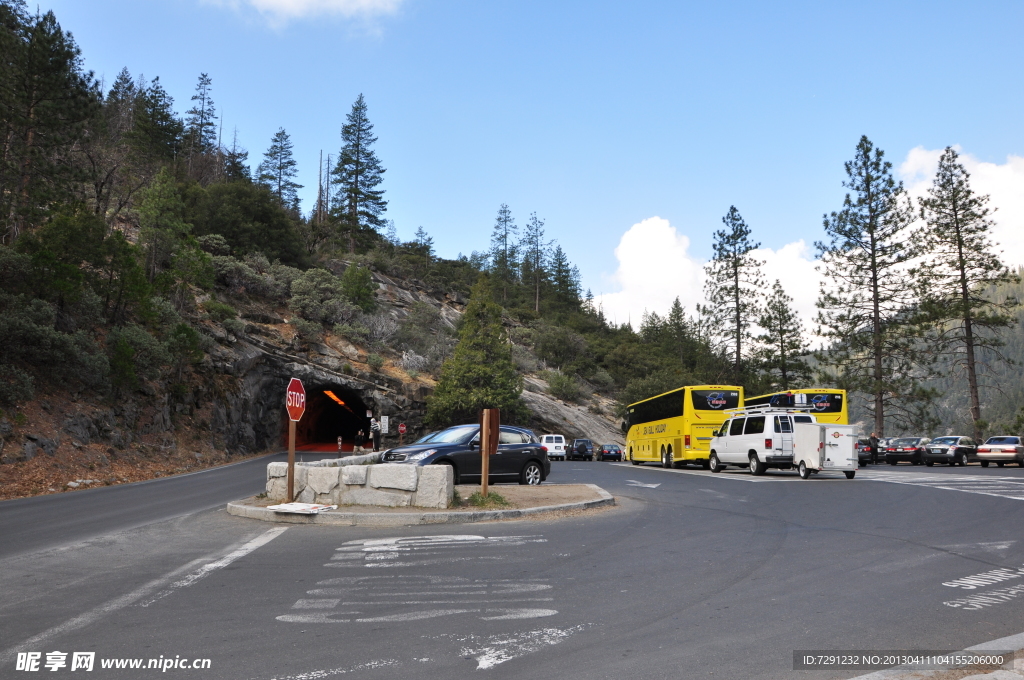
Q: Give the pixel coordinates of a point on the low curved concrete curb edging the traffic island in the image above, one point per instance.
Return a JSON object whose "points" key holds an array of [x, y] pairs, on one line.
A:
{"points": [[335, 519]]}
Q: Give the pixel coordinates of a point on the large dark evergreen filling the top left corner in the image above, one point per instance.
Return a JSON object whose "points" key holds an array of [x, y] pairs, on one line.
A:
{"points": [[47, 102]]}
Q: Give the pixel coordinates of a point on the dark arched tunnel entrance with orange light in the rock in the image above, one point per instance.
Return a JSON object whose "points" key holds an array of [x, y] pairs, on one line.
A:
{"points": [[332, 411]]}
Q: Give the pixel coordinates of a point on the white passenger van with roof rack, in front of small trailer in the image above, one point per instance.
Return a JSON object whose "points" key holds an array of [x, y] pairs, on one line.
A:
{"points": [[756, 438]]}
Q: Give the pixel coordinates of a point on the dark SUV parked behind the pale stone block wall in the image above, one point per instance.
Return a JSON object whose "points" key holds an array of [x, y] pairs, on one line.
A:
{"points": [[520, 458]]}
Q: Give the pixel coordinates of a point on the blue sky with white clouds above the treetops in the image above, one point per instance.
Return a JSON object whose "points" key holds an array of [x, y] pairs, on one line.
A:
{"points": [[630, 129]]}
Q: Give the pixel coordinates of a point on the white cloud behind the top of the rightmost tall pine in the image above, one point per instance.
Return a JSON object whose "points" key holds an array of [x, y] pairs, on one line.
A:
{"points": [[1005, 184]]}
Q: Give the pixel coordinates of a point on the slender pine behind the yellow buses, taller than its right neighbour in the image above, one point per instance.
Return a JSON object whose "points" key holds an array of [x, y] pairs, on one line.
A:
{"points": [[734, 287]]}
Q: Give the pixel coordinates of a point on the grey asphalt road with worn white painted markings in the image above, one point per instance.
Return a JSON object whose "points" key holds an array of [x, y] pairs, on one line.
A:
{"points": [[694, 575]]}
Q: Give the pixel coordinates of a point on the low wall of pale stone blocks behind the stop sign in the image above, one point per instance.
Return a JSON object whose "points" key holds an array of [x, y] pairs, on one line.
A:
{"points": [[354, 482]]}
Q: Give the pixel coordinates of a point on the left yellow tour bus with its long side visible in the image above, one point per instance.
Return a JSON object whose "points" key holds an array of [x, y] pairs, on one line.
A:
{"points": [[676, 429]]}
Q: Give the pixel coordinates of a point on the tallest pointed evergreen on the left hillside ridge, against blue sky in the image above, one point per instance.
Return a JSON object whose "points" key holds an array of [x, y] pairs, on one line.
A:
{"points": [[360, 204]]}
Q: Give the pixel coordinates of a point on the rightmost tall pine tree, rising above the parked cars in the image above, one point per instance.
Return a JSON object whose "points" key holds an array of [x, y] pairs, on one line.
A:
{"points": [[959, 274]]}
